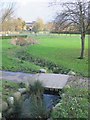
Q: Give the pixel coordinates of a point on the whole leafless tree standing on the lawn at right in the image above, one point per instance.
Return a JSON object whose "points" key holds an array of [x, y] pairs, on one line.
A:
{"points": [[76, 14]]}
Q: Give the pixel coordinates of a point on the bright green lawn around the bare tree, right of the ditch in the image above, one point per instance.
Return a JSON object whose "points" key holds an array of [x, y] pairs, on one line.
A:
{"points": [[62, 50]]}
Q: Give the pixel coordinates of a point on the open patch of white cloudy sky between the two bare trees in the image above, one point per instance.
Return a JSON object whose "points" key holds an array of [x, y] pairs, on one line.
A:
{"points": [[30, 11]]}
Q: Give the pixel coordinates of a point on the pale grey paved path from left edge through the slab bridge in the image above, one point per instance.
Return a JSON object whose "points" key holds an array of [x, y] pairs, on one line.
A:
{"points": [[49, 80]]}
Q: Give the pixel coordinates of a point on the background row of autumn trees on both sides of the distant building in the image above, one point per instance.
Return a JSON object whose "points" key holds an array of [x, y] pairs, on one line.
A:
{"points": [[8, 22]]}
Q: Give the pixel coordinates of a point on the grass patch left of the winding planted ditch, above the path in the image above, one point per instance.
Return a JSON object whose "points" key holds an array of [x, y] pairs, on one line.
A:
{"points": [[10, 62]]}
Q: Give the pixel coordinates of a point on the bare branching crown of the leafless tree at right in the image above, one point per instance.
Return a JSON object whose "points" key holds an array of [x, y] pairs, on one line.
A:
{"points": [[75, 13]]}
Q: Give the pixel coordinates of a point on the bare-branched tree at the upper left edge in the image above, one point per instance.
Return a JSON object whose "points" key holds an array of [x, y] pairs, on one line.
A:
{"points": [[7, 10]]}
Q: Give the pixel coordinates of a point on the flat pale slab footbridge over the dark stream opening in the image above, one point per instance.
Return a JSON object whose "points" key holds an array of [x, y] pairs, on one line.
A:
{"points": [[53, 81]]}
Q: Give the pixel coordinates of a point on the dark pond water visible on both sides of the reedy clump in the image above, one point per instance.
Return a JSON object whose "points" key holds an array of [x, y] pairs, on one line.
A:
{"points": [[49, 100]]}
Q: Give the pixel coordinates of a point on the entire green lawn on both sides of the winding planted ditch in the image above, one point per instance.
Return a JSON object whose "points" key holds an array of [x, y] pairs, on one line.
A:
{"points": [[63, 50]]}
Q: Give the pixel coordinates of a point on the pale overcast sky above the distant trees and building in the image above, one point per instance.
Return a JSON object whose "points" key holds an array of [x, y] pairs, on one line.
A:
{"points": [[30, 10]]}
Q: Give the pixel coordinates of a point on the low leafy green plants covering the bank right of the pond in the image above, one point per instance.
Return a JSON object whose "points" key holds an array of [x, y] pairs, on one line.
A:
{"points": [[74, 102]]}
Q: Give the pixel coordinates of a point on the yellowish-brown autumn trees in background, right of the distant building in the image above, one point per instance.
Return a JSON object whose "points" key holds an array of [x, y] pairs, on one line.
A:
{"points": [[53, 27]]}
